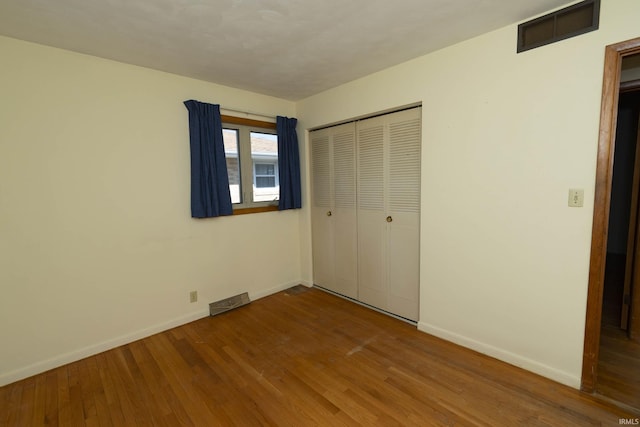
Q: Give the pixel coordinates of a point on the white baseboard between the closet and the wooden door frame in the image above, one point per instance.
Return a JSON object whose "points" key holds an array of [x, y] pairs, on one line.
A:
{"points": [[503, 355]]}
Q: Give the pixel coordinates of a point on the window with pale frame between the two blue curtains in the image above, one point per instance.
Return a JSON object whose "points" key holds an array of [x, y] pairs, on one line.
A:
{"points": [[252, 165]]}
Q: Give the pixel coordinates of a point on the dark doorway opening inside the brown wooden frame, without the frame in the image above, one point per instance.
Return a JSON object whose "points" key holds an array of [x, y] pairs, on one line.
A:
{"points": [[619, 361]]}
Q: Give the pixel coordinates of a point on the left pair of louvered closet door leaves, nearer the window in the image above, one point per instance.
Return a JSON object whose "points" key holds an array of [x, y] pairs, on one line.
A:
{"points": [[334, 224]]}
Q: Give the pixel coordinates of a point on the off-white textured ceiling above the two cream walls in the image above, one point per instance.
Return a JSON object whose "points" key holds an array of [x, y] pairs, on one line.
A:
{"points": [[286, 48]]}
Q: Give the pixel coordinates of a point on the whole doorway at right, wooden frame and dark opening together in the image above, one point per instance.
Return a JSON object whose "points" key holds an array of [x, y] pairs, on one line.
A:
{"points": [[609, 353]]}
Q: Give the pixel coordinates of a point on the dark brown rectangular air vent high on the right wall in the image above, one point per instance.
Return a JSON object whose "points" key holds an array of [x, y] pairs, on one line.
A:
{"points": [[571, 21]]}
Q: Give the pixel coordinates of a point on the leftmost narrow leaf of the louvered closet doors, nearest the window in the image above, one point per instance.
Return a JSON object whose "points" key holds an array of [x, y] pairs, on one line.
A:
{"points": [[321, 208]]}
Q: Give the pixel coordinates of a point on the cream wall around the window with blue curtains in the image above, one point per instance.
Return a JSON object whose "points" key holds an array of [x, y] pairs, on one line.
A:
{"points": [[97, 246]]}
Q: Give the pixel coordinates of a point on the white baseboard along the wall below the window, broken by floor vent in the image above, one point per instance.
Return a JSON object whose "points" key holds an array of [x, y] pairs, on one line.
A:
{"points": [[74, 356]]}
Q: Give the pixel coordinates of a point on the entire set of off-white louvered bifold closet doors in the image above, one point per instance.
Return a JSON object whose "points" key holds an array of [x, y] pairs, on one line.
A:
{"points": [[366, 210]]}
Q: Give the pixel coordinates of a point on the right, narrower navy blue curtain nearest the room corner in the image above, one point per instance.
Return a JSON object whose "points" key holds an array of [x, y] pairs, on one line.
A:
{"points": [[288, 164]]}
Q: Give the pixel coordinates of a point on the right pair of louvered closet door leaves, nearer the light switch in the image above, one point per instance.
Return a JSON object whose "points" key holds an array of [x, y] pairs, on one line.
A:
{"points": [[389, 212]]}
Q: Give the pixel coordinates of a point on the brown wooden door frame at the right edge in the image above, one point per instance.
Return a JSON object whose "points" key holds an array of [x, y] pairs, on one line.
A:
{"points": [[602, 198]]}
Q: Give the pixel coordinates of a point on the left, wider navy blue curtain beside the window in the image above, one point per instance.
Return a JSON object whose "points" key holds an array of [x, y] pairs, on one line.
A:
{"points": [[210, 194]]}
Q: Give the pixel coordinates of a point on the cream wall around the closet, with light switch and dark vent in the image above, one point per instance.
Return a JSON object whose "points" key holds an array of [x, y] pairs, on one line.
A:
{"points": [[504, 260]]}
